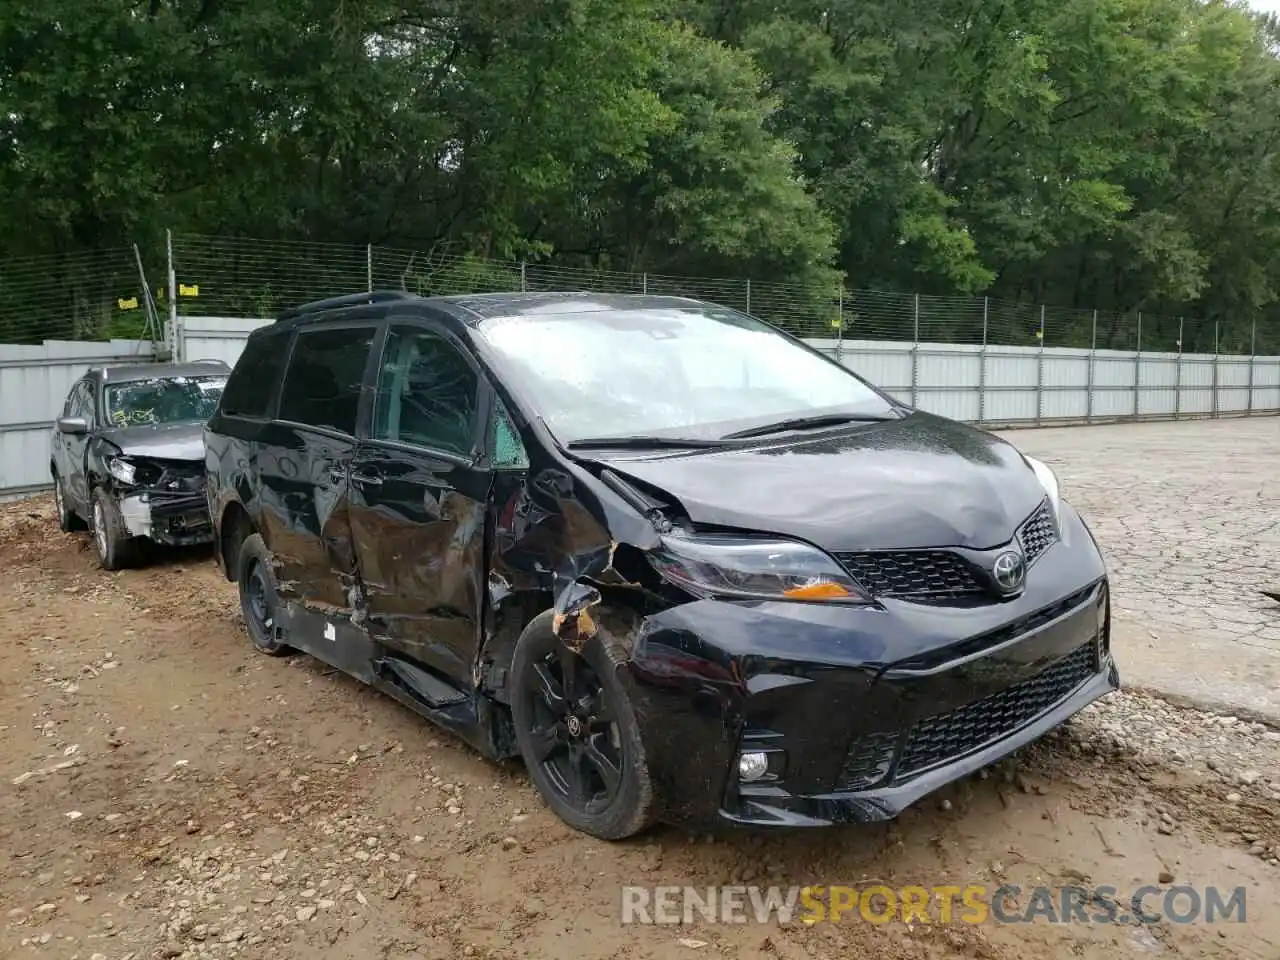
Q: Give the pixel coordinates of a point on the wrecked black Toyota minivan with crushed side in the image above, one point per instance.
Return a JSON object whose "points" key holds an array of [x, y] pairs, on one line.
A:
{"points": [[685, 566]]}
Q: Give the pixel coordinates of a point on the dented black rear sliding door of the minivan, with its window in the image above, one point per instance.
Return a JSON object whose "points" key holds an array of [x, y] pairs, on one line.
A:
{"points": [[304, 461]]}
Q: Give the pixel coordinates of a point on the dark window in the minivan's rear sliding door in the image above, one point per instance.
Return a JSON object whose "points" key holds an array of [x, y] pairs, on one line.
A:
{"points": [[322, 387]]}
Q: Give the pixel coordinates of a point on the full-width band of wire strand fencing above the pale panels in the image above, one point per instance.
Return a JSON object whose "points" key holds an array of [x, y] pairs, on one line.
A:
{"points": [[125, 294]]}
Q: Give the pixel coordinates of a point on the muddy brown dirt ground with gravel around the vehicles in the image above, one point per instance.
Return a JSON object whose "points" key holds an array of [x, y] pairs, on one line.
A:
{"points": [[170, 793]]}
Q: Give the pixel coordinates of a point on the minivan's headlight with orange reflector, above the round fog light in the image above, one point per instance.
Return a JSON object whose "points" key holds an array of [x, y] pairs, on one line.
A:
{"points": [[757, 569]]}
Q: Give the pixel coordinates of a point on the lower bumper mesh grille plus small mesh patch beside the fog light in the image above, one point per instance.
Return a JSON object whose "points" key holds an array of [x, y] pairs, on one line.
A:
{"points": [[948, 737]]}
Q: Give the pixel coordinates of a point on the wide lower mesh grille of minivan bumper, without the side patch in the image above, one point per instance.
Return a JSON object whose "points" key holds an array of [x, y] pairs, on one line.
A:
{"points": [[949, 735]]}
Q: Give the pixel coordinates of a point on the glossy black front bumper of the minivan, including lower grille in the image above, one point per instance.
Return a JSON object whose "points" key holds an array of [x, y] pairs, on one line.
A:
{"points": [[860, 714]]}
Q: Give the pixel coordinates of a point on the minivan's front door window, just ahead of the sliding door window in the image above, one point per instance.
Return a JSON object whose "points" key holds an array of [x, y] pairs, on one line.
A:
{"points": [[427, 394]]}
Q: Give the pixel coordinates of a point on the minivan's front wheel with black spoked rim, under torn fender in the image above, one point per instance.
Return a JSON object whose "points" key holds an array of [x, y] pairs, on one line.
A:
{"points": [[578, 733]]}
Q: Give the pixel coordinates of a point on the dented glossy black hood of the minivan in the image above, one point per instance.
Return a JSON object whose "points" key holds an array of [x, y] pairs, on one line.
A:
{"points": [[915, 483]]}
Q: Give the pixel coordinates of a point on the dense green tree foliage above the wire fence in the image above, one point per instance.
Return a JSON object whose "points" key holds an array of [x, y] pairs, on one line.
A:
{"points": [[1109, 154]]}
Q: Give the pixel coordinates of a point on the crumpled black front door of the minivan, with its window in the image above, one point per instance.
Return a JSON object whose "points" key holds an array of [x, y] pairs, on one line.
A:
{"points": [[419, 499]]}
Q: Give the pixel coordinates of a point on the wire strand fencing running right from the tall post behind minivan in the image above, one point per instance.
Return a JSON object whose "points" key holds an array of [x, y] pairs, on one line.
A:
{"points": [[253, 278]]}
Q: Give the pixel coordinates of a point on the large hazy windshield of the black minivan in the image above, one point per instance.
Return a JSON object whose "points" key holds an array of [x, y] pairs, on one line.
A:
{"points": [[697, 372]]}
